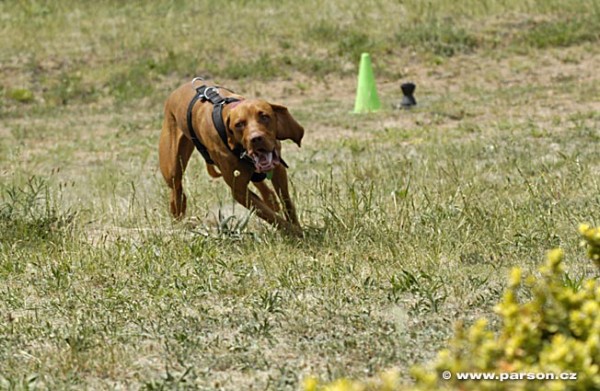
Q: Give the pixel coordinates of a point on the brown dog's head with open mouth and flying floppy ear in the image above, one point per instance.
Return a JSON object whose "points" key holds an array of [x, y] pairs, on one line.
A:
{"points": [[257, 126]]}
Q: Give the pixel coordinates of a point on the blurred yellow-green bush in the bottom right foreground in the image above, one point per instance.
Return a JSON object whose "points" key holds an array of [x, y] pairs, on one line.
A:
{"points": [[556, 332]]}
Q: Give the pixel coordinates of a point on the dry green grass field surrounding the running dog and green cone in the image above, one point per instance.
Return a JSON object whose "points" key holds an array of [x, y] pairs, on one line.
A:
{"points": [[412, 218]]}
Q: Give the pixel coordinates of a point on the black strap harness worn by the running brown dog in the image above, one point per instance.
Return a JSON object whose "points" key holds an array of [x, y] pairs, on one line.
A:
{"points": [[211, 94]]}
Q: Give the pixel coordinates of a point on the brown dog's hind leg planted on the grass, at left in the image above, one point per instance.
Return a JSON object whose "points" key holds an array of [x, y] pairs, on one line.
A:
{"points": [[174, 151]]}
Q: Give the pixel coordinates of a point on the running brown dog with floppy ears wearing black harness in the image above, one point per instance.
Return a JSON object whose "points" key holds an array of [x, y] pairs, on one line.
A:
{"points": [[247, 148]]}
